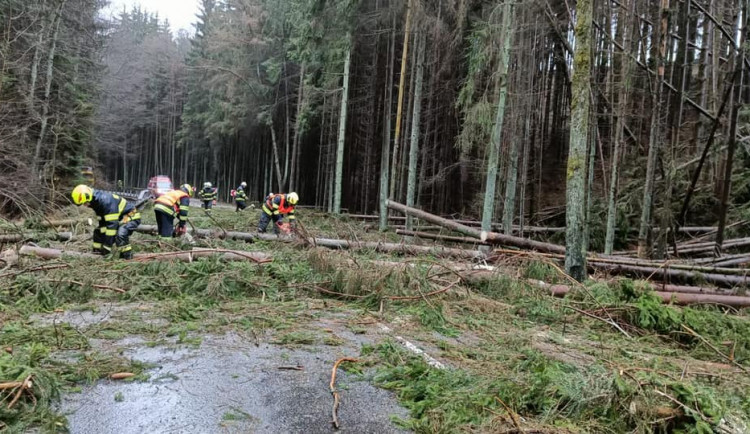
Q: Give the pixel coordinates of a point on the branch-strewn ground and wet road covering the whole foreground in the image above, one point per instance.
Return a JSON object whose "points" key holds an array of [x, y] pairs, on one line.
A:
{"points": [[244, 347]]}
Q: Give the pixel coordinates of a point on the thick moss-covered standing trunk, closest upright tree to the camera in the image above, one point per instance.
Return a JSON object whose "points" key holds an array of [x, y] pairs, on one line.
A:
{"points": [[575, 264]]}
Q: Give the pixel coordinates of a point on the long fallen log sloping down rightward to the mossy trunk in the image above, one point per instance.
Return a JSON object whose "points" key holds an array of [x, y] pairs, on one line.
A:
{"points": [[490, 237]]}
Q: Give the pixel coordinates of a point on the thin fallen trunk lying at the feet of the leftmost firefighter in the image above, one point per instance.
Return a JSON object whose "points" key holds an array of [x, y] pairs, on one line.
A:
{"points": [[183, 256]]}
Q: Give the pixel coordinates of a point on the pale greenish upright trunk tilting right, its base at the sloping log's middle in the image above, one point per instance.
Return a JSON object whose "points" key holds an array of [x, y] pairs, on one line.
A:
{"points": [[488, 209]]}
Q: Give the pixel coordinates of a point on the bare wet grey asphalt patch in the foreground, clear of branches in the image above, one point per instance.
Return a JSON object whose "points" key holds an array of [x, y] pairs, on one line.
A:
{"points": [[230, 385]]}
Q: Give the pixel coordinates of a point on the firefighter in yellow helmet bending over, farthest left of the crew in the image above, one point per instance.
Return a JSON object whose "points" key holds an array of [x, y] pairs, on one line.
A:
{"points": [[117, 219]]}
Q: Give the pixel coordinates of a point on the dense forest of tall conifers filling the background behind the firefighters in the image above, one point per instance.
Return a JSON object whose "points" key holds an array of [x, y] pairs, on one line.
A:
{"points": [[460, 107]]}
